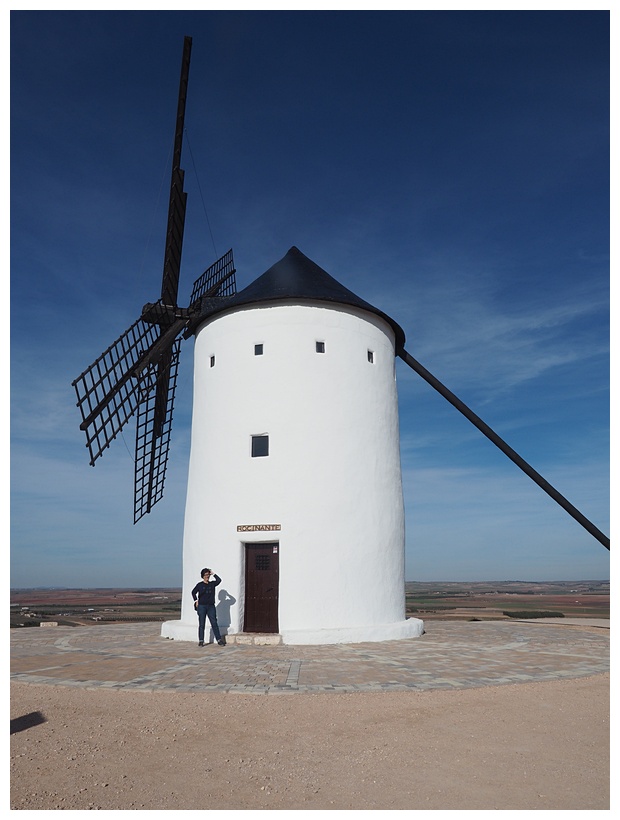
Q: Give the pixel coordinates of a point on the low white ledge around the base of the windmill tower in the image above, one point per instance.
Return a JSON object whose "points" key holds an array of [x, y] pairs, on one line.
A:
{"points": [[409, 628]]}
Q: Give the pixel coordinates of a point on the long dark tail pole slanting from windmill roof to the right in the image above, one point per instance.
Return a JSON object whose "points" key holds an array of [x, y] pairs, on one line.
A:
{"points": [[505, 448]]}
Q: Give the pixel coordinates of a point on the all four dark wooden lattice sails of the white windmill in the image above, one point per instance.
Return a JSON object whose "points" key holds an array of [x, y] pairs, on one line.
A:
{"points": [[138, 372]]}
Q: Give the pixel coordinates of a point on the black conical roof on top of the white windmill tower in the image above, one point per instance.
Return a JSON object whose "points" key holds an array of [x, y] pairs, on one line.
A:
{"points": [[295, 277]]}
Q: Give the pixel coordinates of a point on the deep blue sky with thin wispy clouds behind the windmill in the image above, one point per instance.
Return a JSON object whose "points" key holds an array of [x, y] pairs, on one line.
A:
{"points": [[451, 168]]}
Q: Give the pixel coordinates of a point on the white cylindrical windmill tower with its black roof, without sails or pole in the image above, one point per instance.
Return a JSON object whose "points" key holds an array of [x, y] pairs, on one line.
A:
{"points": [[294, 491]]}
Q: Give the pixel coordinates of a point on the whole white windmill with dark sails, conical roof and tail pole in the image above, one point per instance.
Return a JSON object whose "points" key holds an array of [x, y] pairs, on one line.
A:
{"points": [[288, 372]]}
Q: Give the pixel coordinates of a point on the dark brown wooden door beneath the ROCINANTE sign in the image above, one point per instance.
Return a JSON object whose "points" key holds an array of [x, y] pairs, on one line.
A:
{"points": [[261, 588]]}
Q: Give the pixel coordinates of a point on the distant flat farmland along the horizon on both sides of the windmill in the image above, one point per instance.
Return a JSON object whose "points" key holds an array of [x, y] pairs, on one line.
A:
{"points": [[427, 600]]}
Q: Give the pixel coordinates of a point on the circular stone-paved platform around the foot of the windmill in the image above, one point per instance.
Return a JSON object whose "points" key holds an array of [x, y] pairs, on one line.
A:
{"points": [[450, 655]]}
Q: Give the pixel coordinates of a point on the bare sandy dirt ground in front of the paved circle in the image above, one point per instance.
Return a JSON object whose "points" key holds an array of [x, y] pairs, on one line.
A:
{"points": [[526, 746]]}
